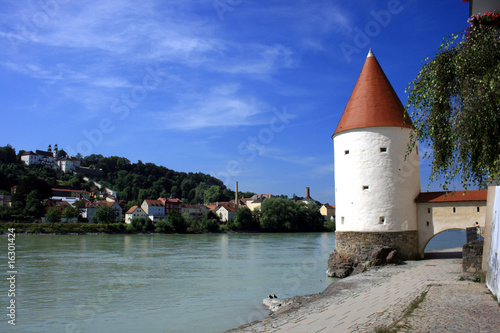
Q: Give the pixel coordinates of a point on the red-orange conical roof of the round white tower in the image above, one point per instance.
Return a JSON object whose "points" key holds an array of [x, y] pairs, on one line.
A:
{"points": [[373, 101]]}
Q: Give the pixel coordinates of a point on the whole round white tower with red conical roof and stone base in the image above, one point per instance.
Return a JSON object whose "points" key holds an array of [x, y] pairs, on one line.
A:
{"points": [[375, 185]]}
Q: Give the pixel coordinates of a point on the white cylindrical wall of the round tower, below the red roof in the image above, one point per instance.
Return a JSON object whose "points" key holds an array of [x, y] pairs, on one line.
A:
{"points": [[375, 187]]}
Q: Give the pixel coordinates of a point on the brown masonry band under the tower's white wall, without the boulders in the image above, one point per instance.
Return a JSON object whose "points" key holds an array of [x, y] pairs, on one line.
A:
{"points": [[360, 244]]}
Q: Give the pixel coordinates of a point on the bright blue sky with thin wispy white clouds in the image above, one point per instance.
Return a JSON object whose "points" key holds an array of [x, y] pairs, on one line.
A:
{"points": [[247, 91]]}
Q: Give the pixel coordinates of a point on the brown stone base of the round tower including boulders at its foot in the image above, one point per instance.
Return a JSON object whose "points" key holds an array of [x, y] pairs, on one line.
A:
{"points": [[355, 251]]}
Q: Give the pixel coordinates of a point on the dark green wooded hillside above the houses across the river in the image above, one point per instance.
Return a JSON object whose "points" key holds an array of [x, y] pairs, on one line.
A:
{"points": [[133, 182]]}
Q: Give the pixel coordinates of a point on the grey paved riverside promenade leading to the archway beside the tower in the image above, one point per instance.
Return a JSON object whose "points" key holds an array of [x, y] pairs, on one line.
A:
{"points": [[379, 297]]}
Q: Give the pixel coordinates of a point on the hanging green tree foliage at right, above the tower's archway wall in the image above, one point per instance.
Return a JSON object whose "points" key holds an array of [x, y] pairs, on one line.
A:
{"points": [[454, 103]]}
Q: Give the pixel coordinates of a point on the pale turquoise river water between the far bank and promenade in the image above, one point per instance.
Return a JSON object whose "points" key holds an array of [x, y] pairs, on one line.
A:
{"points": [[161, 283]]}
